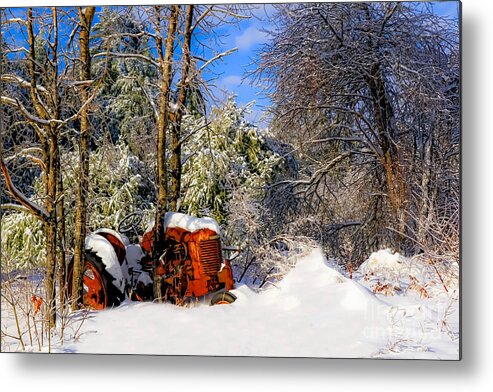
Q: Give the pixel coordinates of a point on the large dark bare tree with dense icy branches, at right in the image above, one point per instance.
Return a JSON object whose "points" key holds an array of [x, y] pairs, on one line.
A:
{"points": [[367, 96]]}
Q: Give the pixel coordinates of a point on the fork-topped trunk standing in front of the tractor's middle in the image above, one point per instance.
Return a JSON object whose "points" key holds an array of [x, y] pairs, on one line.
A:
{"points": [[162, 127]]}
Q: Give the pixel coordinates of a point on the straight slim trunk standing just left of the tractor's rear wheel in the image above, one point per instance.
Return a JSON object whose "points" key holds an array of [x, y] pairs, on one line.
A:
{"points": [[85, 18]]}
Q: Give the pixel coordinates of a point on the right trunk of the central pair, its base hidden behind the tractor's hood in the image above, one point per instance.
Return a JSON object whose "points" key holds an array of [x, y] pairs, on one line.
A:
{"points": [[176, 125]]}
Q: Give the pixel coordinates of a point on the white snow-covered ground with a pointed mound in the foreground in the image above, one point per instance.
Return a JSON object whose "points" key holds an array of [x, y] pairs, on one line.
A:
{"points": [[313, 312]]}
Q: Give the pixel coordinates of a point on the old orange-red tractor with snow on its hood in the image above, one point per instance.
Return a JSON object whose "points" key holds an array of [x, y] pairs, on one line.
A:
{"points": [[191, 266]]}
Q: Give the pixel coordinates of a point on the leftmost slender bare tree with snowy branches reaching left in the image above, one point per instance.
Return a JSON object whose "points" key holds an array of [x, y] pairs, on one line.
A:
{"points": [[47, 124]]}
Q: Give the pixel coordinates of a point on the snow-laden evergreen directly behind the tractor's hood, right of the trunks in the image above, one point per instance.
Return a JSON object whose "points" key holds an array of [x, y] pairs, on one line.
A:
{"points": [[222, 154]]}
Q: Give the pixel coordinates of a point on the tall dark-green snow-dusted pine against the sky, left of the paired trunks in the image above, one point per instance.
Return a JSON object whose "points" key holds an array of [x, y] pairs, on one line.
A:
{"points": [[129, 93]]}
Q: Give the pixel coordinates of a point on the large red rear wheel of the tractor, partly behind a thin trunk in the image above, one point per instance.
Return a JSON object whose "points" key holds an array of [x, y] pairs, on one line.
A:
{"points": [[98, 291]]}
